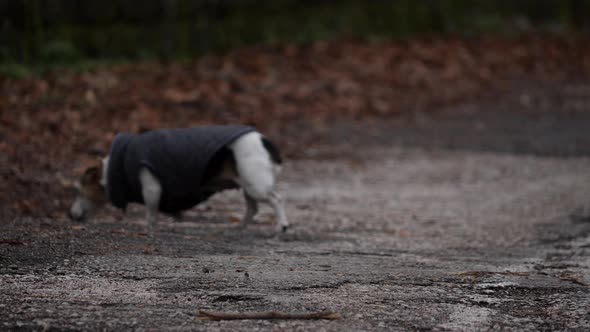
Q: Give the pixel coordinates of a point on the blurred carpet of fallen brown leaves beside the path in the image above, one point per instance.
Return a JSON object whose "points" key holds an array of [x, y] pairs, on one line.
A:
{"points": [[292, 94]]}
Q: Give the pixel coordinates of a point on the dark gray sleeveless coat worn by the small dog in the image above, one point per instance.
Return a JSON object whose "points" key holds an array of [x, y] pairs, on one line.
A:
{"points": [[179, 158]]}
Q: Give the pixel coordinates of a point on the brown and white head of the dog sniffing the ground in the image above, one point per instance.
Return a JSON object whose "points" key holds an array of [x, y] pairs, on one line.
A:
{"points": [[91, 193]]}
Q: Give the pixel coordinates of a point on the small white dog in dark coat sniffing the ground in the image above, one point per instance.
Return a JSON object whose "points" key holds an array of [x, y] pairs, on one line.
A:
{"points": [[172, 170]]}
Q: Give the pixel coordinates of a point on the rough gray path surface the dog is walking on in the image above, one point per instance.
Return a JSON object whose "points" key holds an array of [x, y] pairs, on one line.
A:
{"points": [[402, 228]]}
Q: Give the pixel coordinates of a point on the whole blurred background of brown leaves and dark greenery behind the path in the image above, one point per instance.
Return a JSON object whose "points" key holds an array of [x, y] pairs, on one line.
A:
{"points": [[73, 72]]}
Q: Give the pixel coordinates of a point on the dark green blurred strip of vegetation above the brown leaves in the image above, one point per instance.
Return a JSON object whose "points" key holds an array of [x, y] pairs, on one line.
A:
{"points": [[47, 34]]}
